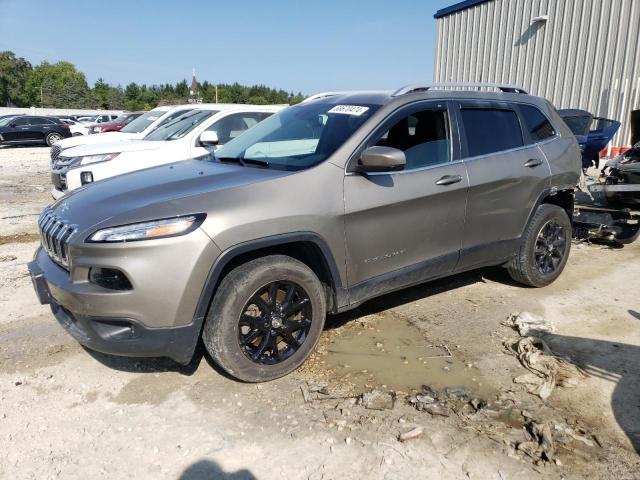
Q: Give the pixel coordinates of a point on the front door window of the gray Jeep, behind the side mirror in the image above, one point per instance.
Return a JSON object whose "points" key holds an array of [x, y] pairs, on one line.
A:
{"points": [[422, 136]]}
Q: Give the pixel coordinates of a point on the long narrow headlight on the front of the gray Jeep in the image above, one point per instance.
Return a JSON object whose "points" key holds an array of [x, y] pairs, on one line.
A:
{"points": [[163, 228]]}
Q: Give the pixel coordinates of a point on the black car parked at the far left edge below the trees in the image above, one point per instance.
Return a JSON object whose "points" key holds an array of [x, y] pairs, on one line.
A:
{"points": [[28, 129]]}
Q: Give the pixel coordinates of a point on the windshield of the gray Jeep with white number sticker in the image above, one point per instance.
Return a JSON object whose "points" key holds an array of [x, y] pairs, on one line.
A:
{"points": [[299, 137]]}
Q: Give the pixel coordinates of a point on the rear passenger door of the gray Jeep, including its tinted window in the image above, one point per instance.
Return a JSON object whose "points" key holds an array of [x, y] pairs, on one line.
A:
{"points": [[507, 174]]}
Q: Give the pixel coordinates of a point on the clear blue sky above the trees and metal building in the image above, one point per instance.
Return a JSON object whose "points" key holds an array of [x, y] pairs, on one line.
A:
{"points": [[294, 45]]}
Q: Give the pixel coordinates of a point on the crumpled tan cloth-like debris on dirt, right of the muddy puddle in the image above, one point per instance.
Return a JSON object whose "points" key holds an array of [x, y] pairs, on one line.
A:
{"points": [[547, 369]]}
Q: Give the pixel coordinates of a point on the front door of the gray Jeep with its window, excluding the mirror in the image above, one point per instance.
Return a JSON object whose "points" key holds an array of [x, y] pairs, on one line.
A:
{"points": [[404, 227]]}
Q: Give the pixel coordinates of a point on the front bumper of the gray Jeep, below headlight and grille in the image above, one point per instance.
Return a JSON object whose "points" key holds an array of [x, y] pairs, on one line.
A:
{"points": [[127, 322]]}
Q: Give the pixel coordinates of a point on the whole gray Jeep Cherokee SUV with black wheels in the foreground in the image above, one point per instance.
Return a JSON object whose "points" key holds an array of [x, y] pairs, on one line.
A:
{"points": [[315, 210]]}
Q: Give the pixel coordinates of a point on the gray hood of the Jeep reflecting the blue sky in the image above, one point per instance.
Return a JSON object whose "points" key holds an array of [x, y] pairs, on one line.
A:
{"points": [[175, 189]]}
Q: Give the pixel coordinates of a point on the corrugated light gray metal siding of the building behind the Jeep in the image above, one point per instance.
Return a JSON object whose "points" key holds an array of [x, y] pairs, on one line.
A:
{"points": [[585, 56]]}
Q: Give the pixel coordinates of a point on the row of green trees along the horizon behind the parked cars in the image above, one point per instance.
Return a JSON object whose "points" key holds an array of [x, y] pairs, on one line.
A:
{"points": [[60, 85]]}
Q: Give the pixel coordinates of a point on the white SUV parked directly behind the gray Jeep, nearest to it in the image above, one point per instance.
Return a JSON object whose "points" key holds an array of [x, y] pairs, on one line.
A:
{"points": [[191, 135]]}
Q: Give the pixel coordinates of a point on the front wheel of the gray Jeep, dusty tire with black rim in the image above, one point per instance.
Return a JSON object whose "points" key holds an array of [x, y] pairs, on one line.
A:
{"points": [[265, 319]]}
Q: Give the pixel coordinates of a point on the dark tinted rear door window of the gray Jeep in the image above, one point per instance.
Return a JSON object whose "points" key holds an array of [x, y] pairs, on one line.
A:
{"points": [[490, 130]]}
